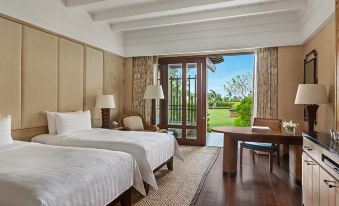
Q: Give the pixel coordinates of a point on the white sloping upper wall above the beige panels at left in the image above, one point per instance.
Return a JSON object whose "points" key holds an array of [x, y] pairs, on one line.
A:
{"points": [[54, 16]]}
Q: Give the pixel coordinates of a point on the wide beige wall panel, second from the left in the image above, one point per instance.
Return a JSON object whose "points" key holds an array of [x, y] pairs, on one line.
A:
{"points": [[39, 76]]}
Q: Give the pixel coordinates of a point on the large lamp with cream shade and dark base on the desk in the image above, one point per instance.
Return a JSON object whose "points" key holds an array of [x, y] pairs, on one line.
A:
{"points": [[311, 95]]}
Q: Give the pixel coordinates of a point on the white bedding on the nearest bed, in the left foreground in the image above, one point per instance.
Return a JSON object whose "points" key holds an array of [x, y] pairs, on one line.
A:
{"points": [[33, 174]]}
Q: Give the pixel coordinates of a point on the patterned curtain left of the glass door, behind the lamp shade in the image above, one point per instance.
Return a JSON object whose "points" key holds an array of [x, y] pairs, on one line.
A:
{"points": [[143, 75]]}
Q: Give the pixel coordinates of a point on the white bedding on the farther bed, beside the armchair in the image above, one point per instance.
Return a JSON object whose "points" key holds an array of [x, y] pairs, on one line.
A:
{"points": [[150, 149]]}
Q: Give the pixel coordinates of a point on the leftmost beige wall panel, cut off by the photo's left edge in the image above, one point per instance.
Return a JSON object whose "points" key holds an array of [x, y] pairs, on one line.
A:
{"points": [[10, 71]]}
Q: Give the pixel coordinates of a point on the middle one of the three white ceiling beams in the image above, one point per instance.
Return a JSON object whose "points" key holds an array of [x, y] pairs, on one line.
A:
{"points": [[153, 9]]}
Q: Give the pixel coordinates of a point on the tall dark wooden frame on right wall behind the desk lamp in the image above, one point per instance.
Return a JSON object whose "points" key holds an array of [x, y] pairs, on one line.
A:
{"points": [[310, 72]]}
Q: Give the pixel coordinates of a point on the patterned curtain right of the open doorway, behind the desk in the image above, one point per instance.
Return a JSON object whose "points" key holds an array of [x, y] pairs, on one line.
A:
{"points": [[266, 84]]}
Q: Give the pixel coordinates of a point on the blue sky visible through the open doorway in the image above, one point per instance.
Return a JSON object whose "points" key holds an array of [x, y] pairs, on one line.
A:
{"points": [[232, 66]]}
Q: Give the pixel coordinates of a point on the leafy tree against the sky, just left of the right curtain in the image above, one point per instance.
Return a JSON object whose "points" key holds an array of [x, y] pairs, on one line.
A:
{"points": [[239, 86]]}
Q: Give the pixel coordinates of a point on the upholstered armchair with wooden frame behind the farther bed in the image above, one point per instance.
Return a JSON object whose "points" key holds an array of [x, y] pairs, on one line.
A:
{"points": [[135, 122]]}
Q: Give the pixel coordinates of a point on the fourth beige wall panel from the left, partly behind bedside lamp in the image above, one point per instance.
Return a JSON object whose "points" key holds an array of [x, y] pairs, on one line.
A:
{"points": [[94, 64]]}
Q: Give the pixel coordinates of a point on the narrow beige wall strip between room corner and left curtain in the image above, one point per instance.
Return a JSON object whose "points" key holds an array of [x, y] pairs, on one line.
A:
{"points": [[128, 84]]}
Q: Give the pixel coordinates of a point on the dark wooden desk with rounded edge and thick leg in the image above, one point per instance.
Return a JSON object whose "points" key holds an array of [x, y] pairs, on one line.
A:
{"points": [[234, 134]]}
